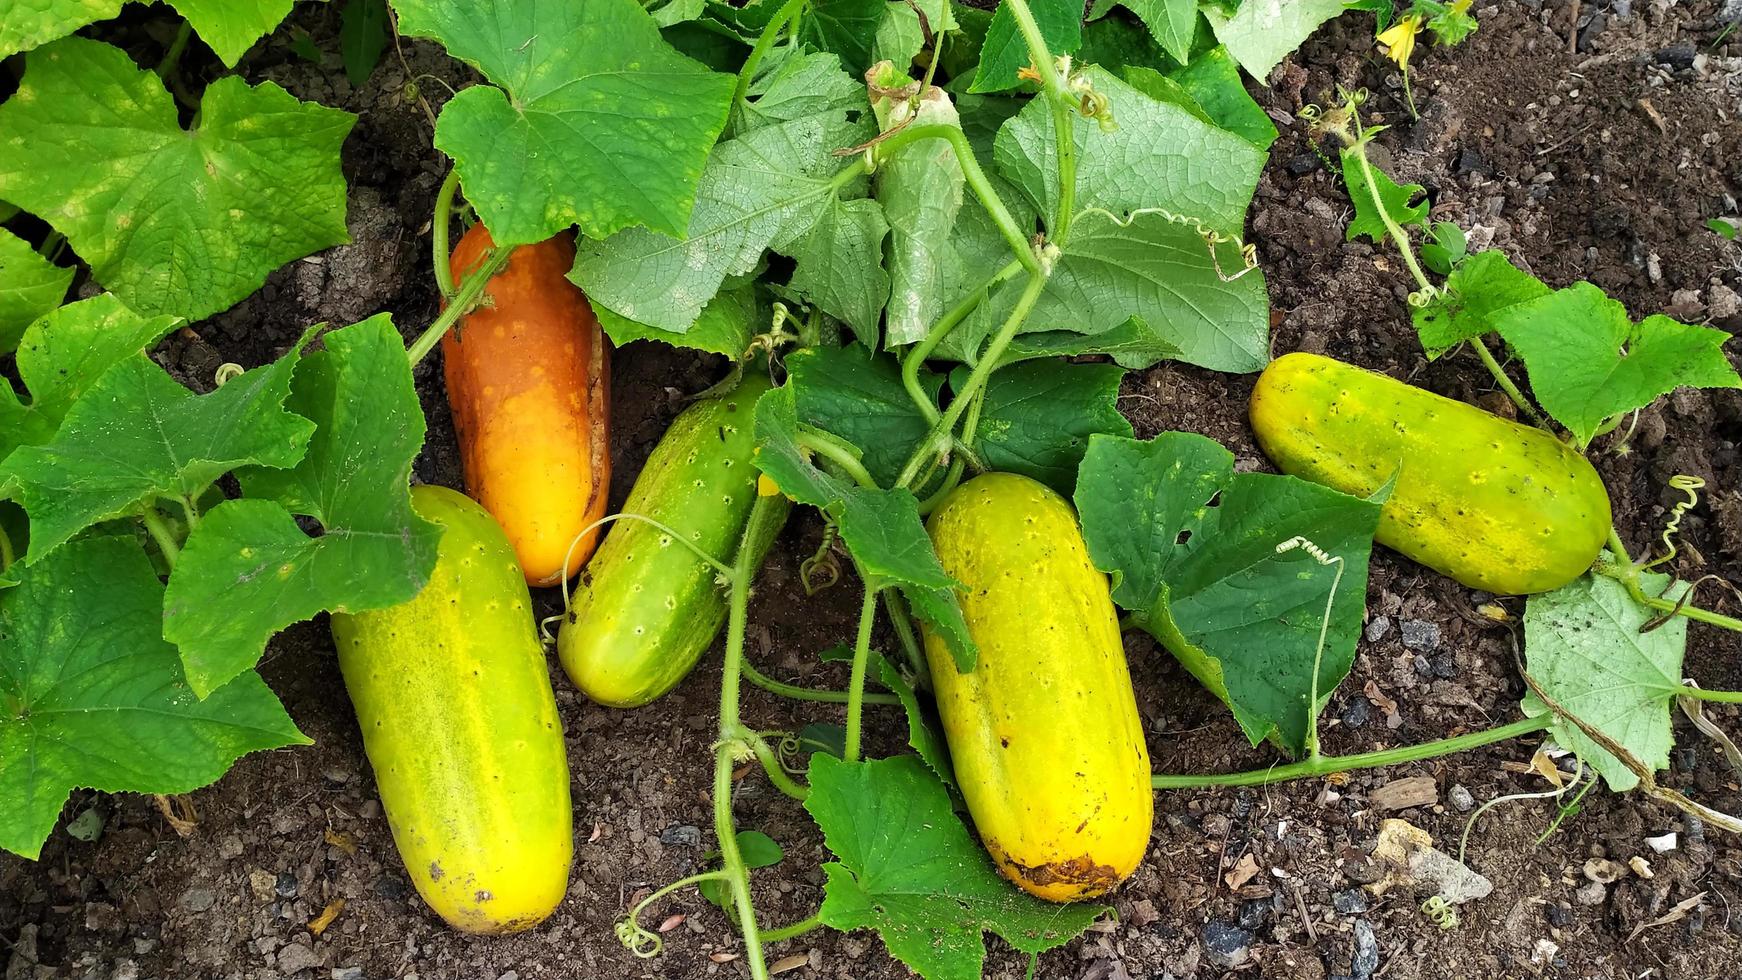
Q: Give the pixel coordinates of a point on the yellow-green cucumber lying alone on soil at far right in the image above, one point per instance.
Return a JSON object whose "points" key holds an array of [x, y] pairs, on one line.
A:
{"points": [[1489, 502]]}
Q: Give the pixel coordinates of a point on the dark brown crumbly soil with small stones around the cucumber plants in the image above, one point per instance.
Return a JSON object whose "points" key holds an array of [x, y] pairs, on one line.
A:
{"points": [[1600, 163]]}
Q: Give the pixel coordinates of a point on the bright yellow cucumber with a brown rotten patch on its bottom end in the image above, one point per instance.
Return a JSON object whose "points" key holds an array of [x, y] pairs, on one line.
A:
{"points": [[1044, 732]]}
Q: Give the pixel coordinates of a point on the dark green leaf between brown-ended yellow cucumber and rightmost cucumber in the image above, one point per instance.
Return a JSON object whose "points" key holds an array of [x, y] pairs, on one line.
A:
{"points": [[1192, 549]]}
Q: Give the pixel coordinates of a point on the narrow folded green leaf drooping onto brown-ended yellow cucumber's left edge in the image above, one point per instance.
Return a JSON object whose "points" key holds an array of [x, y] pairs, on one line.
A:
{"points": [[881, 528]]}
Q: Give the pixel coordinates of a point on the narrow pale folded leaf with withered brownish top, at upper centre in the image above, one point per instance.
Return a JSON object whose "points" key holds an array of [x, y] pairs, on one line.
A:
{"points": [[921, 191]]}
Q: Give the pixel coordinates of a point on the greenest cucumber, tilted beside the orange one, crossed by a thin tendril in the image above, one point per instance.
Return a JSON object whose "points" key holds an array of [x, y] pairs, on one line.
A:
{"points": [[647, 608]]}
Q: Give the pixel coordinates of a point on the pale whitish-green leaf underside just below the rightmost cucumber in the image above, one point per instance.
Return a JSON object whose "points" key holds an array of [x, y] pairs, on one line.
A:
{"points": [[1583, 645]]}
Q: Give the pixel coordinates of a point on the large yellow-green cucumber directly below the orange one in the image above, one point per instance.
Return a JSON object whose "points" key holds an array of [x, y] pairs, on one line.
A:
{"points": [[454, 697]]}
